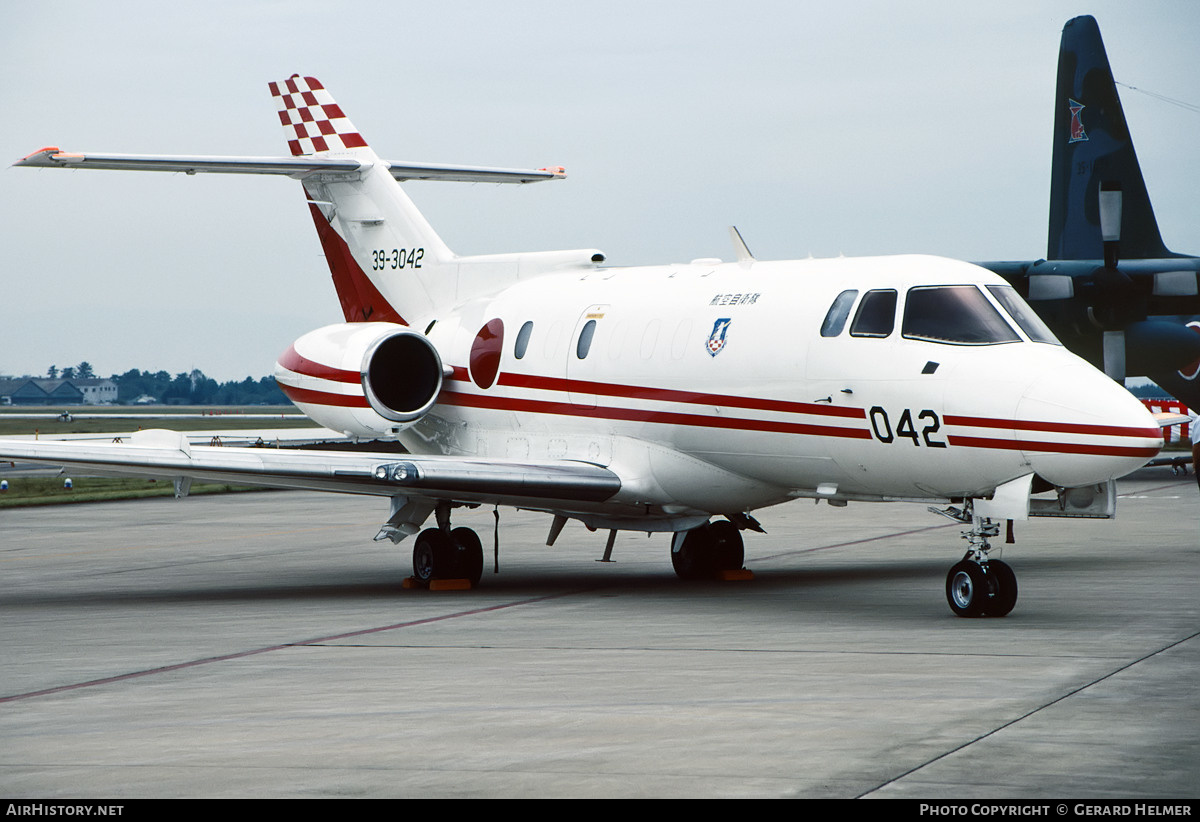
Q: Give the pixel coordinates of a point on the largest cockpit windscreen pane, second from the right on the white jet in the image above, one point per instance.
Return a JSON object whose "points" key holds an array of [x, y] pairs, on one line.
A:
{"points": [[955, 315]]}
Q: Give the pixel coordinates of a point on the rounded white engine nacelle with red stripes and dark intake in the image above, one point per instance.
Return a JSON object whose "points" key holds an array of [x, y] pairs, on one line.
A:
{"points": [[364, 380]]}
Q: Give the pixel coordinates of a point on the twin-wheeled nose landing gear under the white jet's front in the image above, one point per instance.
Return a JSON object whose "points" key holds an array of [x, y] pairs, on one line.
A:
{"points": [[979, 586]]}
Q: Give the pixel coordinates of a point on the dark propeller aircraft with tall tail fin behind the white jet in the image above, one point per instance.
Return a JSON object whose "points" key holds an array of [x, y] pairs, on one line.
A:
{"points": [[1109, 287]]}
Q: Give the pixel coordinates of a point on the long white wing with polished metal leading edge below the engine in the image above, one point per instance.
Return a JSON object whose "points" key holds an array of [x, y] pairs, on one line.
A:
{"points": [[167, 454]]}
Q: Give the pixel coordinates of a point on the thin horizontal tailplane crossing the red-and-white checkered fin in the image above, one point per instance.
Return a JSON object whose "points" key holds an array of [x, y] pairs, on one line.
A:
{"points": [[297, 167]]}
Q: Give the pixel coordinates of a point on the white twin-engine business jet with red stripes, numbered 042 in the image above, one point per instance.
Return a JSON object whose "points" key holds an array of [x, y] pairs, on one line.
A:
{"points": [[665, 399]]}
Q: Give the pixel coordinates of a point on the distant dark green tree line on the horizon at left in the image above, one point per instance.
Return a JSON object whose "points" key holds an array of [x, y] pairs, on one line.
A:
{"points": [[183, 389]]}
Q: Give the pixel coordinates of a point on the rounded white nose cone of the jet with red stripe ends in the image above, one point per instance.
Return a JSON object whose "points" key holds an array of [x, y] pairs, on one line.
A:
{"points": [[1079, 428]]}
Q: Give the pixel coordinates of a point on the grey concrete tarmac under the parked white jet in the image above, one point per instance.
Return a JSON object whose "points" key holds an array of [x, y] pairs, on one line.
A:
{"points": [[260, 645]]}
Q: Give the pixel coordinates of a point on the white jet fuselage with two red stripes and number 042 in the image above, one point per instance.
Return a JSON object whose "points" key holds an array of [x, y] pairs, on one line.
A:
{"points": [[711, 388]]}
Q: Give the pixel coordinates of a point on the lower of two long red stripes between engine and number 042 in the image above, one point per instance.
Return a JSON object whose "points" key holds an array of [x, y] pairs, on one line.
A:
{"points": [[641, 416]]}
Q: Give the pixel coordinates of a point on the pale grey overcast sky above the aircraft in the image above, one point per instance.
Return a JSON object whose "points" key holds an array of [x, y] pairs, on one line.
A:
{"points": [[818, 129]]}
